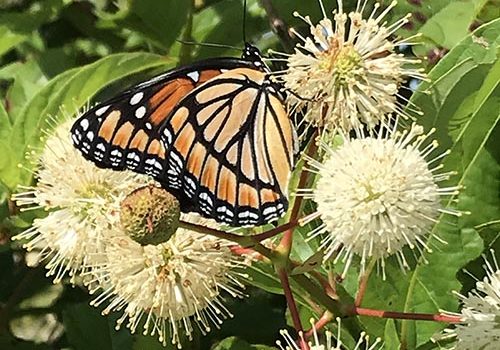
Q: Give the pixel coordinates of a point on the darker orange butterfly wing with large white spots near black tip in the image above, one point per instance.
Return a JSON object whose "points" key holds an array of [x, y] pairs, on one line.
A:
{"points": [[122, 133]]}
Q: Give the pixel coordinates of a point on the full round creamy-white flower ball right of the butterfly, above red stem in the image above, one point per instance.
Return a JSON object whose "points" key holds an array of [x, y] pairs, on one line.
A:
{"points": [[376, 195]]}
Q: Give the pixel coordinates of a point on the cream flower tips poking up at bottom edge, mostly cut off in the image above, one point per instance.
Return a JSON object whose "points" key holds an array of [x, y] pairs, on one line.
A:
{"points": [[330, 342]]}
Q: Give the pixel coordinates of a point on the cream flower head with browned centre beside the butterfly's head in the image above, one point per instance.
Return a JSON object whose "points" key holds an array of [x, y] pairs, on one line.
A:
{"points": [[347, 74]]}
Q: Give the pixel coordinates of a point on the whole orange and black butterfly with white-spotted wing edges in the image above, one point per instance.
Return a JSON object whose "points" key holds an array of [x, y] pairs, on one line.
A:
{"points": [[214, 133]]}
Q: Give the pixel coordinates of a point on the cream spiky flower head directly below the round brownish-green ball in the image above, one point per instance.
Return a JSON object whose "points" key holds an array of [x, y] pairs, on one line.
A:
{"points": [[172, 287]]}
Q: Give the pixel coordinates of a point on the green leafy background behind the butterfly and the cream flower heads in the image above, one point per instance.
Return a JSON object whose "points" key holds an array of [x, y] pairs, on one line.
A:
{"points": [[56, 55]]}
